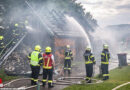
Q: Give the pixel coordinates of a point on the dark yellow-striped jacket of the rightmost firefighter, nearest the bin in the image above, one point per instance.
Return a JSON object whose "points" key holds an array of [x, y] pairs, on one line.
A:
{"points": [[105, 56]]}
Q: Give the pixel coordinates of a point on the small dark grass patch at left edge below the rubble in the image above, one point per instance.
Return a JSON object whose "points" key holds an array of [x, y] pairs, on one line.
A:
{"points": [[5, 77]]}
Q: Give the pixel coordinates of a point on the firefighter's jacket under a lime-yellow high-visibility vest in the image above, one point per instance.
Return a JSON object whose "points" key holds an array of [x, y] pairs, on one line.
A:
{"points": [[35, 58]]}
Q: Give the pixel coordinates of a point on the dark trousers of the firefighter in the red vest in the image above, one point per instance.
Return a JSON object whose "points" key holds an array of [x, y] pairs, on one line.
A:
{"points": [[49, 73]]}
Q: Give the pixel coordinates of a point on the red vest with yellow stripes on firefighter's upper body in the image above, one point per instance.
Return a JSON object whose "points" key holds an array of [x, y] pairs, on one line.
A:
{"points": [[48, 61]]}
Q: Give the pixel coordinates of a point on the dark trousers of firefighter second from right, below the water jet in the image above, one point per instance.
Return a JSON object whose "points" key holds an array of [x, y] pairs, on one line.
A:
{"points": [[89, 71]]}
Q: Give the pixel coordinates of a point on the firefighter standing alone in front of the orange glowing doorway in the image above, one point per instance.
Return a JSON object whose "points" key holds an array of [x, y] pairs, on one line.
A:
{"points": [[67, 60]]}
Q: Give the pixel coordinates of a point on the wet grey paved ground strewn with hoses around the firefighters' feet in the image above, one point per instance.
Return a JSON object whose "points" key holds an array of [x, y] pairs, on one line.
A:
{"points": [[24, 83]]}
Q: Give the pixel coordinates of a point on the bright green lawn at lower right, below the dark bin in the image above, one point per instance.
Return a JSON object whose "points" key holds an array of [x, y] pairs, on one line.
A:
{"points": [[117, 77]]}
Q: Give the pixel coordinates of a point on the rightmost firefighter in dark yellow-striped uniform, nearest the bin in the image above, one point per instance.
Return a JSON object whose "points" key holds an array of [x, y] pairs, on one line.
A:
{"points": [[105, 56]]}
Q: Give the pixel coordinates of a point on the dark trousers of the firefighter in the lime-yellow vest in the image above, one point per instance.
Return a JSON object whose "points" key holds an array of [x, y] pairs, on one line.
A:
{"points": [[35, 74]]}
